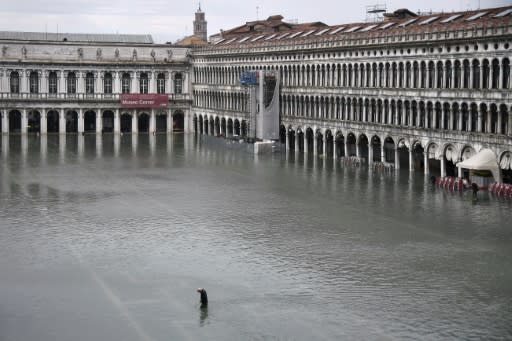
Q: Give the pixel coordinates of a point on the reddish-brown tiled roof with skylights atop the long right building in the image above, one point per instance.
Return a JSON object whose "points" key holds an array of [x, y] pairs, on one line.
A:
{"points": [[397, 22]]}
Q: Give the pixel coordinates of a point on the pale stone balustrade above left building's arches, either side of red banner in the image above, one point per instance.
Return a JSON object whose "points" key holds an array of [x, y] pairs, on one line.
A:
{"points": [[76, 97]]}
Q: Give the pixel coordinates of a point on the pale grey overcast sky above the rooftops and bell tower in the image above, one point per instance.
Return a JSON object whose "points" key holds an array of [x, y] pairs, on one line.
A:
{"points": [[168, 20]]}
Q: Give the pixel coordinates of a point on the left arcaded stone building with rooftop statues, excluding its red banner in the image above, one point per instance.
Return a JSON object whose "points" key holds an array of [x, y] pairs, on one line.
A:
{"points": [[72, 83]]}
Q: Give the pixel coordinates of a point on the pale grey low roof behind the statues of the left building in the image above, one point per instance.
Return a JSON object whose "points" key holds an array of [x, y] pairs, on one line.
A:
{"points": [[78, 37]]}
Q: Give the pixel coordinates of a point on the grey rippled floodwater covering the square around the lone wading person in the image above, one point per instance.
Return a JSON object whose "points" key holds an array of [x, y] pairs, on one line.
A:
{"points": [[105, 238]]}
